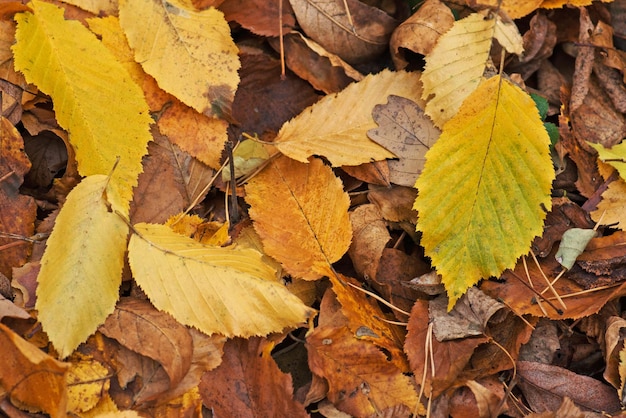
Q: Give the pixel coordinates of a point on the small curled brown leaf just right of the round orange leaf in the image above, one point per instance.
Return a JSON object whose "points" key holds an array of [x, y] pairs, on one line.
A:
{"points": [[370, 237]]}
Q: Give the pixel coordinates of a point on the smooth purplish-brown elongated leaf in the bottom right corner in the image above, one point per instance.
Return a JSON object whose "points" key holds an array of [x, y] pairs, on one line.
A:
{"points": [[544, 387]]}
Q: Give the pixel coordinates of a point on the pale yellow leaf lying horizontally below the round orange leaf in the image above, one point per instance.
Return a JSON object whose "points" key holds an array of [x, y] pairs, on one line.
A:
{"points": [[229, 291]]}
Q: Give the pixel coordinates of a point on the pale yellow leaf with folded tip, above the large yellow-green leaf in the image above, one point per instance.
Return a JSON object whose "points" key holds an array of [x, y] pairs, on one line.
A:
{"points": [[455, 66]]}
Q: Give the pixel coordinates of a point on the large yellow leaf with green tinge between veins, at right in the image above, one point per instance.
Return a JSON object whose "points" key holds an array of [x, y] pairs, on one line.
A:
{"points": [[483, 186]]}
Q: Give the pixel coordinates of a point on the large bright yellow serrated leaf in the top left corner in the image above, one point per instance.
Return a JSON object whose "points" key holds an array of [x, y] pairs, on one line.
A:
{"points": [[94, 97]]}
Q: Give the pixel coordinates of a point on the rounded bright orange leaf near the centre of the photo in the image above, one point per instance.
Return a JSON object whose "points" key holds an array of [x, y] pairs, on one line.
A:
{"points": [[300, 211]]}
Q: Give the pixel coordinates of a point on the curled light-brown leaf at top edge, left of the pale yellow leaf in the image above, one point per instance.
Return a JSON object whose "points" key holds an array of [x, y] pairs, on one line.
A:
{"points": [[420, 32]]}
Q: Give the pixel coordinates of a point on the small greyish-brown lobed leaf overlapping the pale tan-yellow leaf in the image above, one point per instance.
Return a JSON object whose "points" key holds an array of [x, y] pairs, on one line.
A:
{"points": [[405, 130]]}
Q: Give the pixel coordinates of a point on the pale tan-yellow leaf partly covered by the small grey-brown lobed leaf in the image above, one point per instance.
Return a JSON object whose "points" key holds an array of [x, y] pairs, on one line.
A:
{"points": [[336, 126]]}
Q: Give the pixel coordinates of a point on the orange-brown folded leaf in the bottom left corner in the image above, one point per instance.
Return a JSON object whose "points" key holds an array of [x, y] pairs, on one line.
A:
{"points": [[30, 376]]}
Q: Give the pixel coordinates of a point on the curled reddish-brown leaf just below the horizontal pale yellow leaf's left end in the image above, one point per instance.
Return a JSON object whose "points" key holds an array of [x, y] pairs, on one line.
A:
{"points": [[137, 325]]}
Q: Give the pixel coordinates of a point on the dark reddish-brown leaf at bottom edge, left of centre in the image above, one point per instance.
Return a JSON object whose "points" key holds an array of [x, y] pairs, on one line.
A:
{"points": [[248, 383]]}
